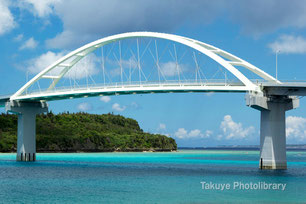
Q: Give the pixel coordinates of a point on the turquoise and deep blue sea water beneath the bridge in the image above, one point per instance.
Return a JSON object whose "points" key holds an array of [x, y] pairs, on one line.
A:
{"points": [[173, 177]]}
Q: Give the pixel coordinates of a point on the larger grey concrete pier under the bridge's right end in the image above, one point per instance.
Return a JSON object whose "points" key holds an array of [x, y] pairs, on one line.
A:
{"points": [[272, 128]]}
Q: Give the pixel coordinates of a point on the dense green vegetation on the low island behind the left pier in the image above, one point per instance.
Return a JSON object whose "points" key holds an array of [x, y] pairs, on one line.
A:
{"points": [[67, 132]]}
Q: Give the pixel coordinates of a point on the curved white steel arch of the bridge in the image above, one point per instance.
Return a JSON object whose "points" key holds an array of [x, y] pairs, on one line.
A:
{"points": [[214, 53]]}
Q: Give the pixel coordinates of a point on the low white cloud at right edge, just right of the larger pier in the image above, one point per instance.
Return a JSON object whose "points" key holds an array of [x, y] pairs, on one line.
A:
{"points": [[296, 128]]}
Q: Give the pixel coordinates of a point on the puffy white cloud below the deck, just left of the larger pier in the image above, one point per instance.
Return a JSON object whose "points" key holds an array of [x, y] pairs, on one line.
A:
{"points": [[233, 130]]}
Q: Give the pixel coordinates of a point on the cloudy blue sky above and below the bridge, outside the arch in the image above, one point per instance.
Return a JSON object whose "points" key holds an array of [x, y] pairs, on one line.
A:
{"points": [[252, 30]]}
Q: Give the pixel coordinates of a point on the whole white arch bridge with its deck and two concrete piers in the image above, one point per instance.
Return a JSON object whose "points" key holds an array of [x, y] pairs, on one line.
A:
{"points": [[148, 62]]}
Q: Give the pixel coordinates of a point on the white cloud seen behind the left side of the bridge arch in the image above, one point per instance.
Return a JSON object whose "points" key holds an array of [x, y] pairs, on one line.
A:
{"points": [[85, 67]]}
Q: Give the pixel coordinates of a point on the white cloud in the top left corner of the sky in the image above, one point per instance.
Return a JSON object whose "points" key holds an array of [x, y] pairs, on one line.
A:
{"points": [[7, 22]]}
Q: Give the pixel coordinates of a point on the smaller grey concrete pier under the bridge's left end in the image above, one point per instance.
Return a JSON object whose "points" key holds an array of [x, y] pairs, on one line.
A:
{"points": [[26, 130]]}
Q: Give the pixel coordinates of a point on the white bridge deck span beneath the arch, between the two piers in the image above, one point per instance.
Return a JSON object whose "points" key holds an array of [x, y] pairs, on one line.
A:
{"points": [[144, 88]]}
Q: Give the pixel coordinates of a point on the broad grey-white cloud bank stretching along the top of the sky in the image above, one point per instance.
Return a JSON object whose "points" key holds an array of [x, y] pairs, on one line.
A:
{"points": [[255, 17]]}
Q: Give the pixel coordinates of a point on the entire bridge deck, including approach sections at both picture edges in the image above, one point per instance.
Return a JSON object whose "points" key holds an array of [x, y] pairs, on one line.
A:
{"points": [[286, 88]]}
